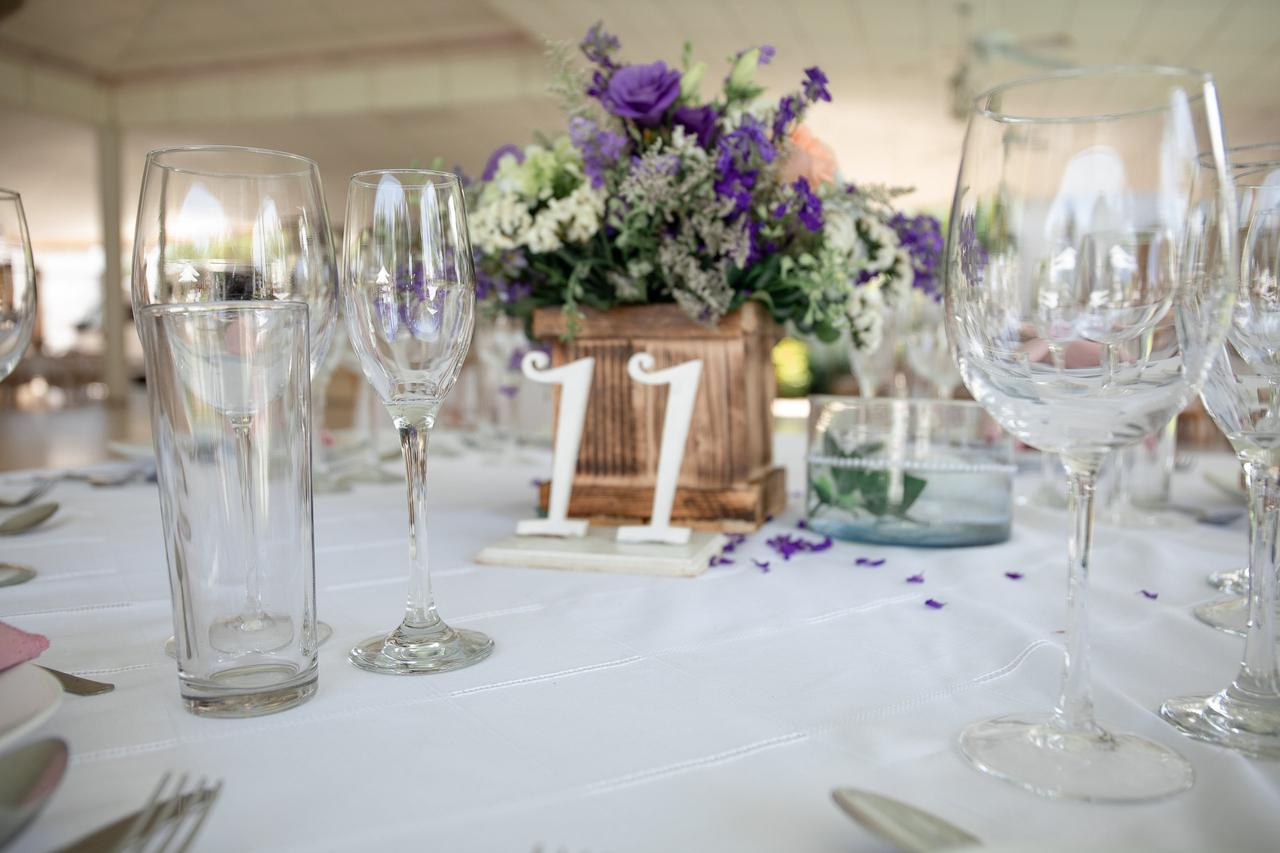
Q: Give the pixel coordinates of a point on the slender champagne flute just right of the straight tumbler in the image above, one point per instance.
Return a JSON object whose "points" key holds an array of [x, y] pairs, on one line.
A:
{"points": [[409, 291]]}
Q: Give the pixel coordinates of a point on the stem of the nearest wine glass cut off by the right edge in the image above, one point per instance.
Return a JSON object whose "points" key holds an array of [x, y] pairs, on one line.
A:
{"points": [[1259, 676]]}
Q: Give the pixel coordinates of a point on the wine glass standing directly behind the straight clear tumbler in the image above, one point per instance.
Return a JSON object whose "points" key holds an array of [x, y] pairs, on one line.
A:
{"points": [[223, 223]]}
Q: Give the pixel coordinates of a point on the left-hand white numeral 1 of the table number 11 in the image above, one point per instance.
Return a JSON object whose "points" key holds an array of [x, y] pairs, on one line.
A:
{"points": [[575, 382]]}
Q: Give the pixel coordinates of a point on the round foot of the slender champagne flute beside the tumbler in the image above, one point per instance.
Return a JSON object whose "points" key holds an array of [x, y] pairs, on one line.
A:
{"points": [[418, 651]]}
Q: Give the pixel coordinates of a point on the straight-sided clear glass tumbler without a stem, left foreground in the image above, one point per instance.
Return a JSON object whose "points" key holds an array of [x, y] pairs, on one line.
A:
{"points": [[230, 391]]}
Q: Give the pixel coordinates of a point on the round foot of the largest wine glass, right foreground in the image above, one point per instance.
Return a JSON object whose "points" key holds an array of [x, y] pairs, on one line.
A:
{"points": [[1036, 754]]}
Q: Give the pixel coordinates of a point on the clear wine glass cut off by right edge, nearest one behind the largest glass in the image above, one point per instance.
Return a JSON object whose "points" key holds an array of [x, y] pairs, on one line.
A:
{"points": [[1244, 398]]}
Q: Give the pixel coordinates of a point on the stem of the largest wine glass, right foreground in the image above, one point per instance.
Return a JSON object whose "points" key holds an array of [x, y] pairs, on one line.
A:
{"points": [[1075, 710]]}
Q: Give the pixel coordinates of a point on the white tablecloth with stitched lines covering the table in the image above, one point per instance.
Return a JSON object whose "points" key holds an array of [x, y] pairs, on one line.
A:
{"points": [[638, 714]]}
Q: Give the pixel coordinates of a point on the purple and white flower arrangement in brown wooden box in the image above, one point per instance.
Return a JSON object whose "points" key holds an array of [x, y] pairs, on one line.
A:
{"points": [[724, 218]]}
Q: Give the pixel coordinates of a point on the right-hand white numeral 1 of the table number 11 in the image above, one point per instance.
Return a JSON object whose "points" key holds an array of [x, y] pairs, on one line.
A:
{"points": [[683, 381]]}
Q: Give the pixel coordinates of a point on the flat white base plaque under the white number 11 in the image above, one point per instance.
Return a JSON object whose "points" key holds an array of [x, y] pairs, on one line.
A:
{"points": [[600, 551]]}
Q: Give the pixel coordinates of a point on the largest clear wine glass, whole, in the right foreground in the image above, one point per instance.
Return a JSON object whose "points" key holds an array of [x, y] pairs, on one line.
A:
{"points": [[1089, 288]]}
